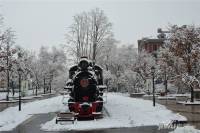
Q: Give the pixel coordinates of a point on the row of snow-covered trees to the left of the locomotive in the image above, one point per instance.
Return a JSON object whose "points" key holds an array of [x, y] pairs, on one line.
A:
{"points": [[44, 69]]}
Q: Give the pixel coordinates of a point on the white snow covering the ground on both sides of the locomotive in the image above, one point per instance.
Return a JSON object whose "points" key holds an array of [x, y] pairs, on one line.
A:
{"points": [[124, 112]]}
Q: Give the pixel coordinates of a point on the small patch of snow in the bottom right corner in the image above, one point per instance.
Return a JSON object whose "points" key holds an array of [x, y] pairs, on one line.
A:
{"points": [[186, 129]]}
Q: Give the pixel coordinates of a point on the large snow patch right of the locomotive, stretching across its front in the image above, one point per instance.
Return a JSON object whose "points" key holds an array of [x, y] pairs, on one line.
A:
{"points": [[124, 112]]}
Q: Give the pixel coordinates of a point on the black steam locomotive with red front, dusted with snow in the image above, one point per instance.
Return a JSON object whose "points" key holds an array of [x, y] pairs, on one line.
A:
{"points": [[86, 89]]}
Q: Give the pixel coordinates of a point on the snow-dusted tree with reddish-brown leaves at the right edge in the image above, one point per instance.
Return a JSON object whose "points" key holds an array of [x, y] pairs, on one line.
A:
{"points": [[182, 49]]}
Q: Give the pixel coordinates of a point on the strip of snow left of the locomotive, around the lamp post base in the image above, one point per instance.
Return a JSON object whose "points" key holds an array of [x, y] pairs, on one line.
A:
{"points": [[11, 117]]}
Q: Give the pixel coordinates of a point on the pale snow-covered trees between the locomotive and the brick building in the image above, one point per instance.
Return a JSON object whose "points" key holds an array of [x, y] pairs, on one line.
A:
{"points": [[119, 63]]}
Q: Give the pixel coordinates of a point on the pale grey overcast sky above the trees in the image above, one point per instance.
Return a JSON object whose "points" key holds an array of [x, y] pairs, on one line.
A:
{"points": [[44, 22]]}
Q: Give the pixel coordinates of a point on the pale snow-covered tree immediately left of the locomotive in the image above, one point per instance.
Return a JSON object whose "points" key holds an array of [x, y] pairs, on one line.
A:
{"points": [[52, 65]]}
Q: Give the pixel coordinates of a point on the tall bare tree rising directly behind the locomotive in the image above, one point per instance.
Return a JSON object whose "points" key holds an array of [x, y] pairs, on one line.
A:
{"points": [[88, 33]]}
